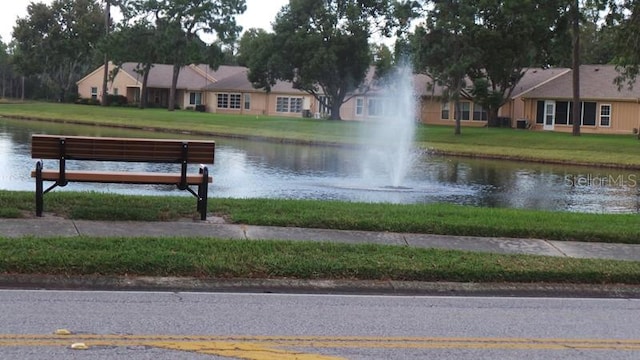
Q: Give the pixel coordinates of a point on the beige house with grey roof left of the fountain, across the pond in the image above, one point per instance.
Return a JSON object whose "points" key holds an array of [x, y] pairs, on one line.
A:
{"points": [[224, 90]]}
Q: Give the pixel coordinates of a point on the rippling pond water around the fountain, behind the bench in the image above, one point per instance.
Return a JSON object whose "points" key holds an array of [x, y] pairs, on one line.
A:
{"points": [[254, 169]]}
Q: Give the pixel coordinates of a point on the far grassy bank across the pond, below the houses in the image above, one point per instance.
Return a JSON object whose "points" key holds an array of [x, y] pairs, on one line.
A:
{"points": [[605, 150]]}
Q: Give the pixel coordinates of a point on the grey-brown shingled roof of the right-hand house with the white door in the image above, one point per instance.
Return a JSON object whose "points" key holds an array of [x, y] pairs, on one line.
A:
{"points": [[596, 82]]}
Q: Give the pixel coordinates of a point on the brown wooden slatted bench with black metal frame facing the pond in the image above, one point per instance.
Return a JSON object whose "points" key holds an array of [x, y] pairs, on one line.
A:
{"points": [[182, 152]]}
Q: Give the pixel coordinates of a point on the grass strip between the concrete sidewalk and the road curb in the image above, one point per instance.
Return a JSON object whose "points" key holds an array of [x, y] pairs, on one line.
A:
{"points": [[210, 258]]}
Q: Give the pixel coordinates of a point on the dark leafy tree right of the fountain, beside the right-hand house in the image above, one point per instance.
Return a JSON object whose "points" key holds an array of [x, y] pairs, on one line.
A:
{"points": [[506, 35]]}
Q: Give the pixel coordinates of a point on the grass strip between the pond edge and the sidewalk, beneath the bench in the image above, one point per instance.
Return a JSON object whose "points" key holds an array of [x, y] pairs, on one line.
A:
{"points": [[414, 218]]}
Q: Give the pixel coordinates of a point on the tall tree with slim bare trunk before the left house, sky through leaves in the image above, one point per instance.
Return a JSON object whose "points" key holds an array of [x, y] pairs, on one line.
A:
{"points": [[183, 21]]}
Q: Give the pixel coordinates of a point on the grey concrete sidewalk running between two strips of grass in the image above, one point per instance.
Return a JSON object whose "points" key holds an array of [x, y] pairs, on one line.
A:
{"points": [[52, 226]]}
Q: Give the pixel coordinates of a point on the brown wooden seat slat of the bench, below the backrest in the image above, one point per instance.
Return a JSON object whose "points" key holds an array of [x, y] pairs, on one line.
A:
{"points": [[121, 177]]}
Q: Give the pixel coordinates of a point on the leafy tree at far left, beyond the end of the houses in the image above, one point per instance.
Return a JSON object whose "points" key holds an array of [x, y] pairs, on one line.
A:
{"points": [[58, 43]]}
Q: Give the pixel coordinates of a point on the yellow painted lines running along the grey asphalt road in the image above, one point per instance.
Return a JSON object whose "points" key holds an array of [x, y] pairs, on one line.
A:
{"points": [[271, 347]]}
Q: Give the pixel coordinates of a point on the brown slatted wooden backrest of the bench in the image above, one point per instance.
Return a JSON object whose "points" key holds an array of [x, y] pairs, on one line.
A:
{"points": [[122, 149]]}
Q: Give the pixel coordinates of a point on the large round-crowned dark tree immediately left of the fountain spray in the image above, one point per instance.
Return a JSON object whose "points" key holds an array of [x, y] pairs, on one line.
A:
{"points": [[322, 47]]}
